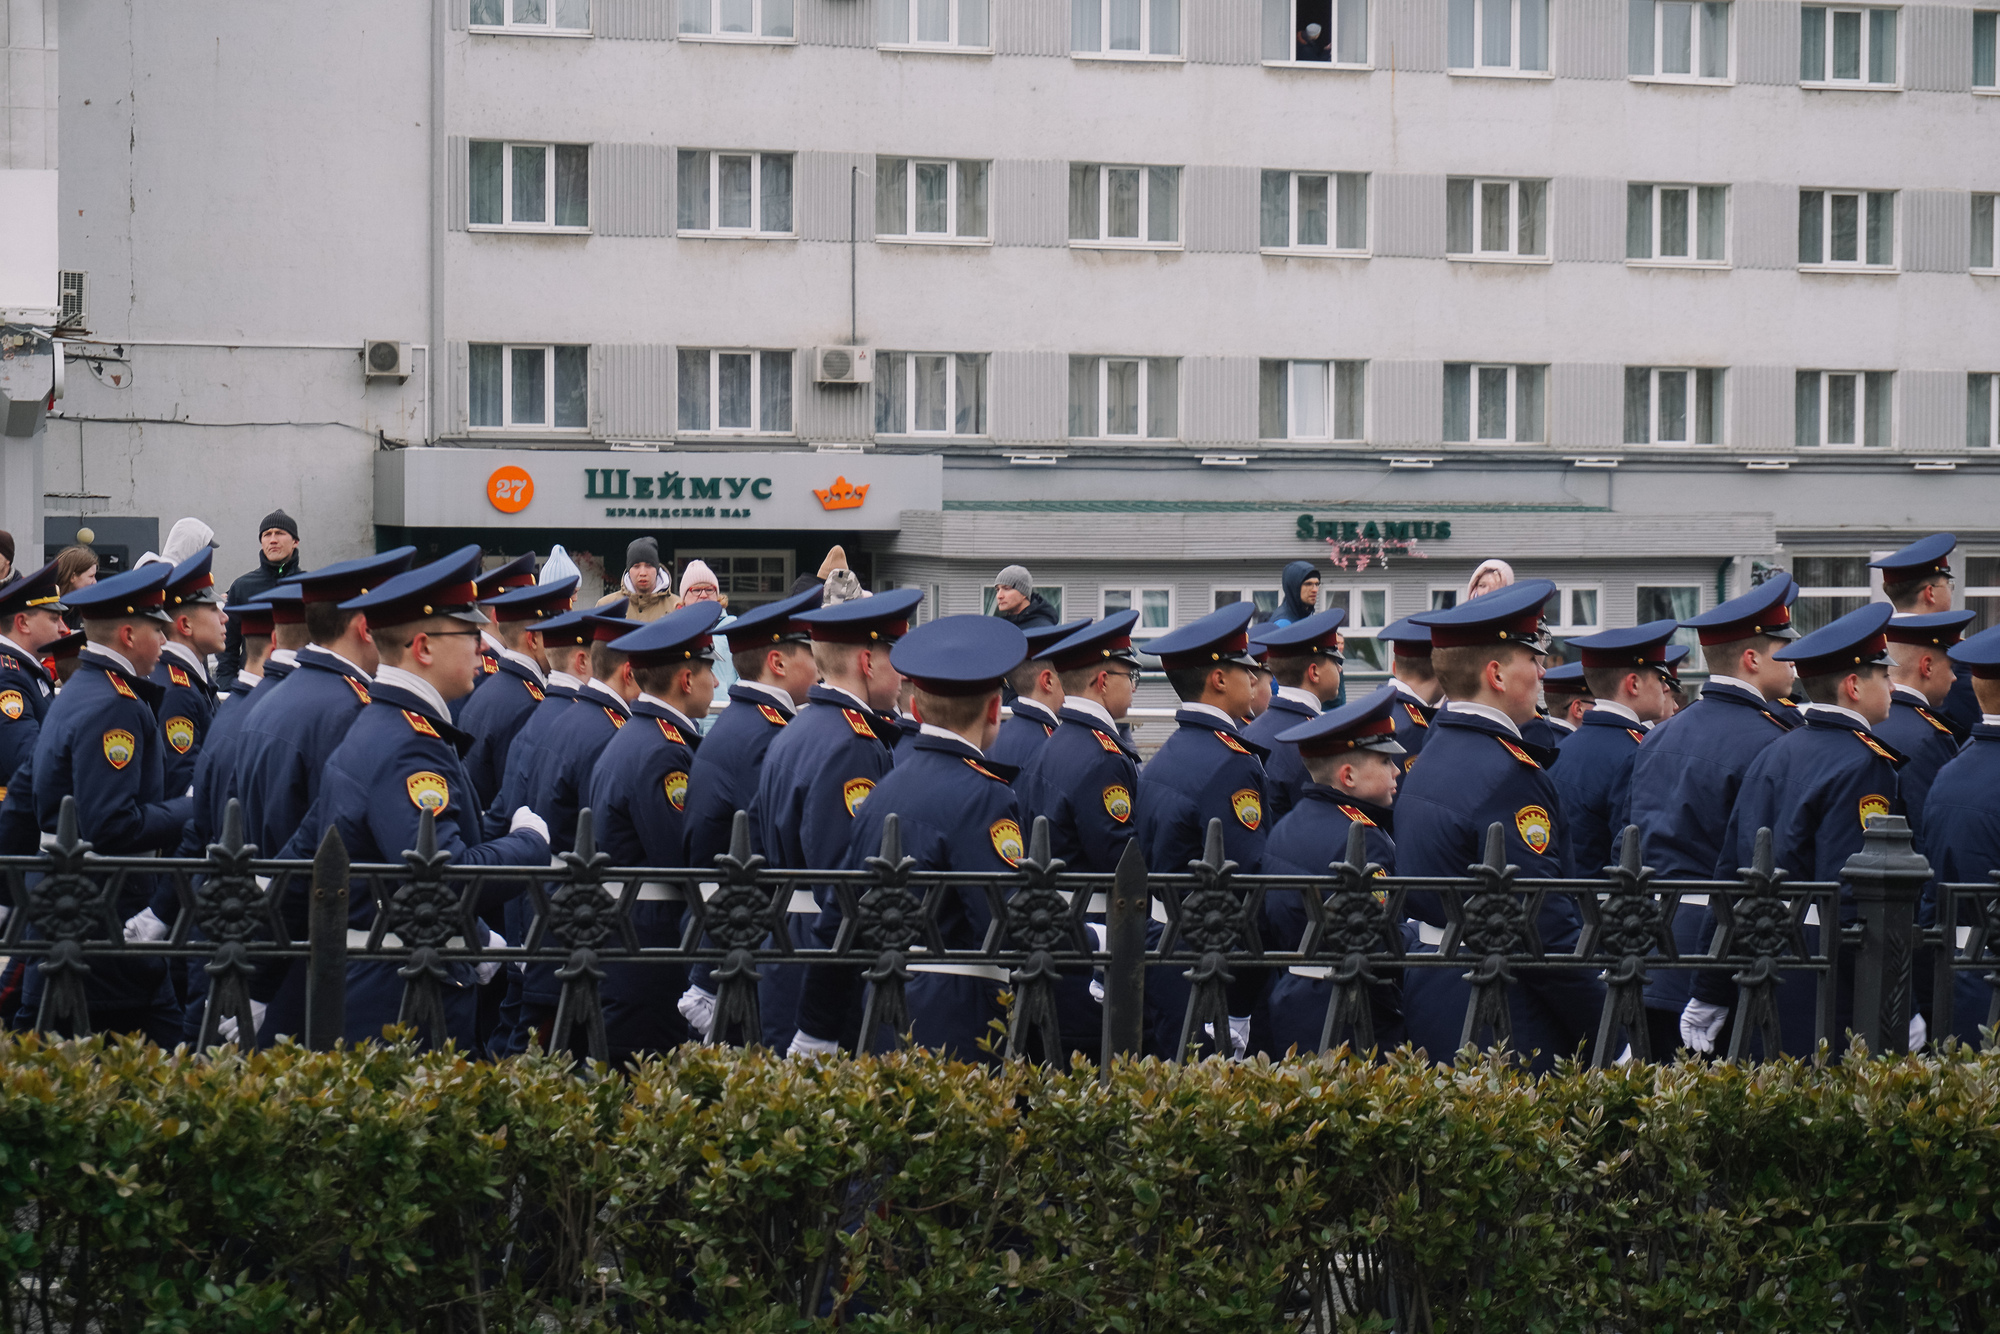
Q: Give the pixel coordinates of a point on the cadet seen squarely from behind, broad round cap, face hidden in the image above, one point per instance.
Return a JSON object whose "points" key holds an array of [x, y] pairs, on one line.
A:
{"points": [[957, 813]]}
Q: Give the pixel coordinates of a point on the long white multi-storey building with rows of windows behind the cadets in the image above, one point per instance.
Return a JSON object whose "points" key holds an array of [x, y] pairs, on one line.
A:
{"points": [[1145, 295]]}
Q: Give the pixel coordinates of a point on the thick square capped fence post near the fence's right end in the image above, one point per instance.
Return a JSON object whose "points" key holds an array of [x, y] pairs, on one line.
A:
{"points": [[1887, 879]]}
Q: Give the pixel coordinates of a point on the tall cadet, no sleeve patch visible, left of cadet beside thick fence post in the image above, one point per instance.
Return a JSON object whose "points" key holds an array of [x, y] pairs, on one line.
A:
{"points": [[1687, 777]]}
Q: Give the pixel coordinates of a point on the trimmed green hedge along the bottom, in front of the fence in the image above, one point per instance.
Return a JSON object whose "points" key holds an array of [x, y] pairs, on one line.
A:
{"points": [[383, 1189]]}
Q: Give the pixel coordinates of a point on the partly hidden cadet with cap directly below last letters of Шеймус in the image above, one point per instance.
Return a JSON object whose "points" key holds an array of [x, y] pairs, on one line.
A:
{"points": [[771, 651]]}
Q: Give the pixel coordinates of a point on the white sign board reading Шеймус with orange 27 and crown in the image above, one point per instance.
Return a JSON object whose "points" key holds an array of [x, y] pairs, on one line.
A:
{"points": [[625, 489]]}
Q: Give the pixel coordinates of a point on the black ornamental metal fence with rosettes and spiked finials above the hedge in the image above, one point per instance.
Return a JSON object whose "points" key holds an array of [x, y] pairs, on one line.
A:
{"points": [[239, 911]]}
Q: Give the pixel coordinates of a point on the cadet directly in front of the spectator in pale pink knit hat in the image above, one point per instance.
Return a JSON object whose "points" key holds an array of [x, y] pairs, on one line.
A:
{"points": [[639, 799]]}
